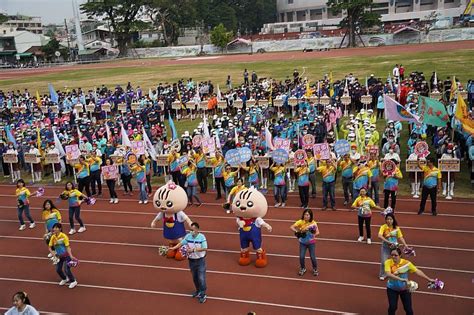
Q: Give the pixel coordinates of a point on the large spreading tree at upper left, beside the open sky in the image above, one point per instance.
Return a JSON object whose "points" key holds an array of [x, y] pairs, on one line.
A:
{"points": [[122, 15]]}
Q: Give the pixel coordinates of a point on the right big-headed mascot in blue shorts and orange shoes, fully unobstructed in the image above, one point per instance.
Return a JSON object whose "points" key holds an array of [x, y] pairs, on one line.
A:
{"points": [[250, 206]]}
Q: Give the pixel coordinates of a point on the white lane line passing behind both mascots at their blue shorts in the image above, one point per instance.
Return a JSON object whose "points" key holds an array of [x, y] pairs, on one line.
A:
{"points": [[265, 235]]}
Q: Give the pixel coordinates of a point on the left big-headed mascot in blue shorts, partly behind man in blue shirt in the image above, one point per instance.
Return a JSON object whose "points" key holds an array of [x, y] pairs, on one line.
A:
{"points": [[171, 200]]}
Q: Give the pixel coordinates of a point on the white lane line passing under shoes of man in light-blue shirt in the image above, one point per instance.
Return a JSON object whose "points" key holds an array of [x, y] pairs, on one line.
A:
{"points": [[182, 295]]}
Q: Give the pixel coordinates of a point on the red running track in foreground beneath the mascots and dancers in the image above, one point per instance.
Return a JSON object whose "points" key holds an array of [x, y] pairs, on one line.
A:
{"points": [[121, 271]]}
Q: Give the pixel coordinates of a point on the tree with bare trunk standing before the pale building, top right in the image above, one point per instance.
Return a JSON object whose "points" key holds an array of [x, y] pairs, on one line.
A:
{"points": [[358, 15]]}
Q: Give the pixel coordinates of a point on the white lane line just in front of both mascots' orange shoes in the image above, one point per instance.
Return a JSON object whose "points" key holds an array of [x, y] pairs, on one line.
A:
{"points": [[240, 274]]}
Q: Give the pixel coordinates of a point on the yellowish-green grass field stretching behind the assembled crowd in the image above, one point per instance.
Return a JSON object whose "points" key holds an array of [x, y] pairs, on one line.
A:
{"points": [[456, 62]]}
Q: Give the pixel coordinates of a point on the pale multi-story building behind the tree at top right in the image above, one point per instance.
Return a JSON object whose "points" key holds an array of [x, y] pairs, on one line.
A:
{"points": [[309, 15]]}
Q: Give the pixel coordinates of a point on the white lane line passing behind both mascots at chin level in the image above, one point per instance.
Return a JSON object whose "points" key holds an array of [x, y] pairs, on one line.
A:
{"points": [[266, 219]]}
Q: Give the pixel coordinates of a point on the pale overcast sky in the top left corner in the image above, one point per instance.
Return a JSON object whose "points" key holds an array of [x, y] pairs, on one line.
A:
{"points": [[50, 11]]}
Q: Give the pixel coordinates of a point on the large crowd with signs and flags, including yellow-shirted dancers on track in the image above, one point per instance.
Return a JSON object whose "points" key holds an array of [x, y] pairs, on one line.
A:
{"points": [[124, 128]]}
